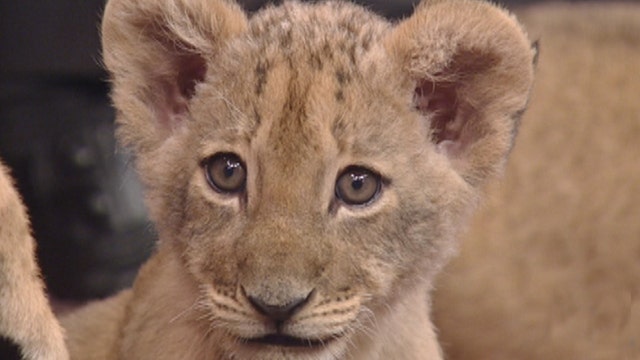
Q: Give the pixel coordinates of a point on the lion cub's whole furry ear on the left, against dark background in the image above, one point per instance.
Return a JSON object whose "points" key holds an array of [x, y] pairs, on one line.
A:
{"points": [[157, 51]]}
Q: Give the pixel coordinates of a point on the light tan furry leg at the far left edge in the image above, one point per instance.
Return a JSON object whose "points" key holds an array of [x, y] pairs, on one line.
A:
{"points": [[25, 315]]}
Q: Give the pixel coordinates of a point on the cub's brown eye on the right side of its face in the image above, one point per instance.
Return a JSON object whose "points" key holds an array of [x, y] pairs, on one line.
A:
{"points": [[358, 186]]}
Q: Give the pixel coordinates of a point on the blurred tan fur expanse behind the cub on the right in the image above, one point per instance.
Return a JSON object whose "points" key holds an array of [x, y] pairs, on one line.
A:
{"points": [[551, 269]]}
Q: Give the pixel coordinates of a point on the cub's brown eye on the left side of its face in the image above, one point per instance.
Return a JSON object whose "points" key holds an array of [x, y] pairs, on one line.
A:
{"points": [[225, 173]]}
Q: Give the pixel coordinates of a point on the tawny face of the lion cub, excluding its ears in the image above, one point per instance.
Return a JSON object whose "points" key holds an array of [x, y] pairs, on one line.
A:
{"points": [[312, 189]]}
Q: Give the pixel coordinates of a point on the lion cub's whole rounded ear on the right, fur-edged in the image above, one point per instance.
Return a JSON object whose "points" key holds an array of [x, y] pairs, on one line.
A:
{"points": [[469, 66]]}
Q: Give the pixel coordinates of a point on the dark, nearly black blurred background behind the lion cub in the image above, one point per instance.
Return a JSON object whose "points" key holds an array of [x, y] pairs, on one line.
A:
{"points": [[56, 133]]}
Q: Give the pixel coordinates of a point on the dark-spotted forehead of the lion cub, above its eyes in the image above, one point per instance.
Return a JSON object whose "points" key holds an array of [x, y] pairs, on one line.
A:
{"points": [[298, 74]]}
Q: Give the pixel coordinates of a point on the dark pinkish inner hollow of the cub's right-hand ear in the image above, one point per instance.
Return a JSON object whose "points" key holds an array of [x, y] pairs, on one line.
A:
{"points": [[438, 102]]}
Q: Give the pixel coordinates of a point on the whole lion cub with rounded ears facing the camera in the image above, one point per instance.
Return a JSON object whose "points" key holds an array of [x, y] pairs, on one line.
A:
{"points": [[308, 170]]}
